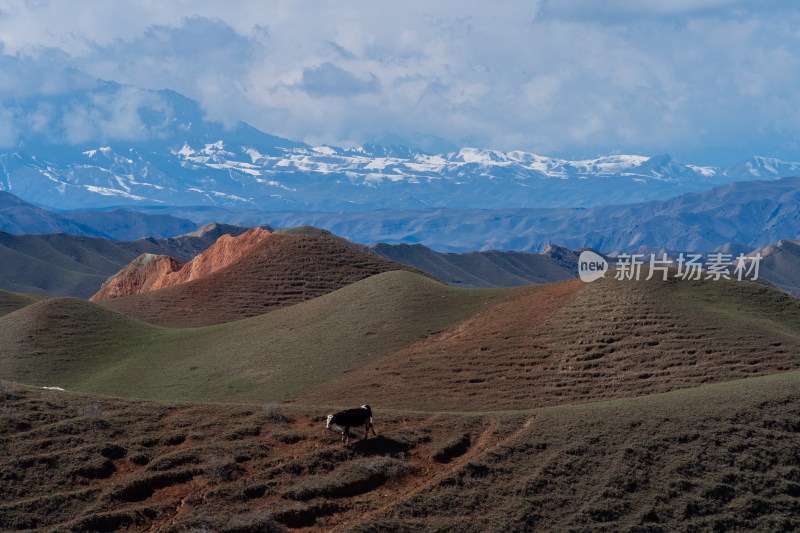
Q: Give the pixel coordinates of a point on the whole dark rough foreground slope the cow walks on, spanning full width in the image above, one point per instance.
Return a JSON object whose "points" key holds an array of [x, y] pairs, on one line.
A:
{"points": [[716, 458]]}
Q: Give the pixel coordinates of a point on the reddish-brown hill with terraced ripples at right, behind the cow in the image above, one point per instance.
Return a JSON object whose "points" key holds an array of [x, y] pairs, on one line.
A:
{"points": [[571, 342]]}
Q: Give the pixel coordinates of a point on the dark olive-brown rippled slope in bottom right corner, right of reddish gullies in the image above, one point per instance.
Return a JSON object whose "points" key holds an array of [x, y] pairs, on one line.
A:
{"points": [[716, 458]]}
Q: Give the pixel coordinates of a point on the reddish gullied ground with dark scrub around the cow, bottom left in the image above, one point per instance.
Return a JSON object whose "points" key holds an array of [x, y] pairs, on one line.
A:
{"points": [[70, 462]]}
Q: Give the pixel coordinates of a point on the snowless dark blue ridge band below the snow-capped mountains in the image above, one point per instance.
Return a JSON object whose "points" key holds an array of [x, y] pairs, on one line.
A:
{"points": [[748, 214]]}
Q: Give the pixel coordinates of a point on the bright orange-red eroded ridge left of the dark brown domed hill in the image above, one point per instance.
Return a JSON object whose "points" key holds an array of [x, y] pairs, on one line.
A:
{"points": [[150, 272]]}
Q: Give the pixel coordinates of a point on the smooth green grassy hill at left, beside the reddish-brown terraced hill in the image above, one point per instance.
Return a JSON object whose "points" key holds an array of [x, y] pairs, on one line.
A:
{"points": [[79, 345]]}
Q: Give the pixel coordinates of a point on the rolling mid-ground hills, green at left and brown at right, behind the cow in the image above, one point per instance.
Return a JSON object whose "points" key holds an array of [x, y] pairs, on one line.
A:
{"points": [[404, 340]]}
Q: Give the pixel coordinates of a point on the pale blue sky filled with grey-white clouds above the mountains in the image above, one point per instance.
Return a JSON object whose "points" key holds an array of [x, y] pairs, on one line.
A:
{"points": [[708, 81]]}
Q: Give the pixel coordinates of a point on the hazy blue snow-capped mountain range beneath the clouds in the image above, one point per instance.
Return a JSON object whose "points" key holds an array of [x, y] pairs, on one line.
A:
{"points": [[182, 159]]}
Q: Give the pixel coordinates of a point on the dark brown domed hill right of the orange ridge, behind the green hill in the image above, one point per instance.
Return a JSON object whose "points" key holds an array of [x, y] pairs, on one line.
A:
{"points": [[280, 270]]}
